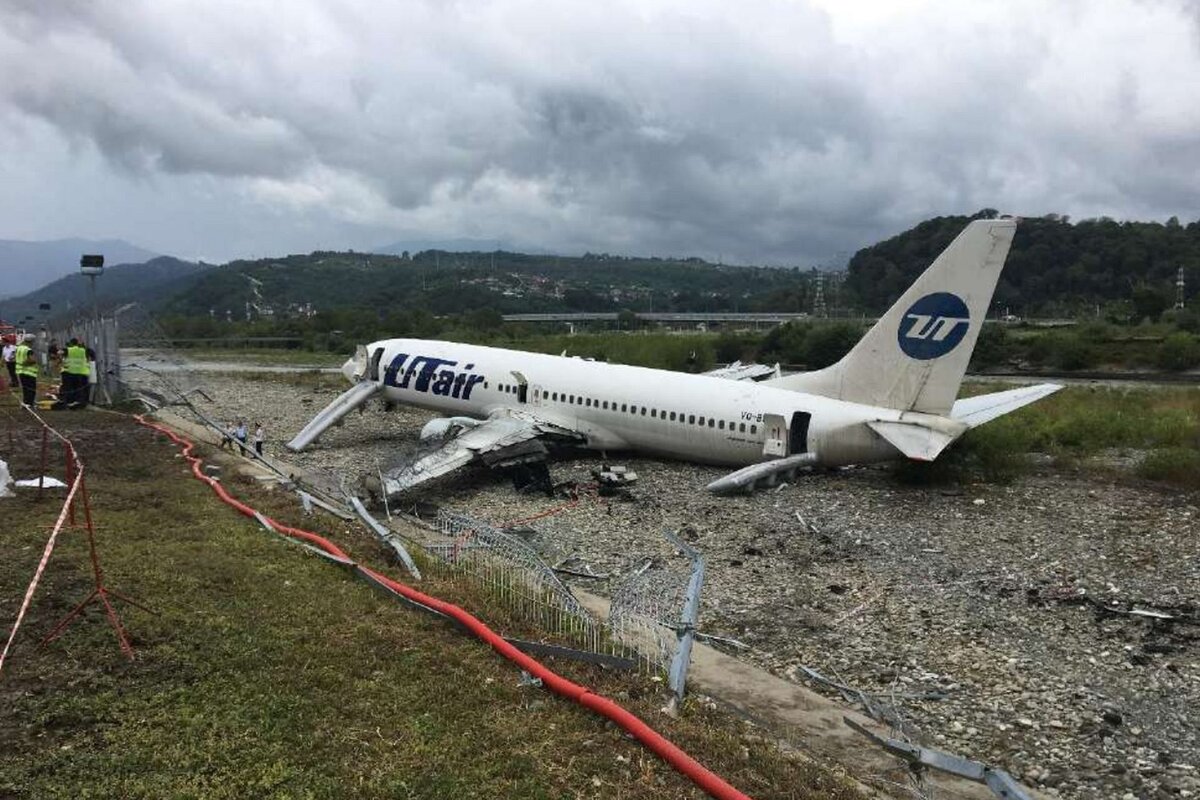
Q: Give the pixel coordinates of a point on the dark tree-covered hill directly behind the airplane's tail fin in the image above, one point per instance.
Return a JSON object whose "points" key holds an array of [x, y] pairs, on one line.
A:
{"points": [[1055, 268]]}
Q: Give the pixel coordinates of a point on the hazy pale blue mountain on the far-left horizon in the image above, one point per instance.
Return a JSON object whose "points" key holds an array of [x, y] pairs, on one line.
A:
{"points": [[29, 266]]}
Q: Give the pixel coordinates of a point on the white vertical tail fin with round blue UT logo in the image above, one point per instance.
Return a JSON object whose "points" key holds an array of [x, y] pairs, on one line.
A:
{"points": [[915, 358]]}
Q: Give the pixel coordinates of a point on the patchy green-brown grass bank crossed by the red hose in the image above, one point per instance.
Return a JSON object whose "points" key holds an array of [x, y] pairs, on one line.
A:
{"points": [[268, 673]]}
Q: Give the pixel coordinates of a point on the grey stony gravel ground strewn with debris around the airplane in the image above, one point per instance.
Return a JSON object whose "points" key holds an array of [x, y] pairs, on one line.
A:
{"points": [[982, 596]]}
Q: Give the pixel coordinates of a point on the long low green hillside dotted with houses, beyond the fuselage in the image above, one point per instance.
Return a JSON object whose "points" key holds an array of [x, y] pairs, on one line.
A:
{"points": [[445, 284]]}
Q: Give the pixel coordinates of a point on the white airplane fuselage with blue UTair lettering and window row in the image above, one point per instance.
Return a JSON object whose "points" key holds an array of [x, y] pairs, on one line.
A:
{"points": [[616, 407]]}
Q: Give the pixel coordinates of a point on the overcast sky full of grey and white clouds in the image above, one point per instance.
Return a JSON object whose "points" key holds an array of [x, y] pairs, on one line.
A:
{"points": [[757, 133]]}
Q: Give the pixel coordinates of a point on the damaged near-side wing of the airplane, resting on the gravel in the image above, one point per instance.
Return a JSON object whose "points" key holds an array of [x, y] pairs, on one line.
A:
{"points": [[505, 438]]}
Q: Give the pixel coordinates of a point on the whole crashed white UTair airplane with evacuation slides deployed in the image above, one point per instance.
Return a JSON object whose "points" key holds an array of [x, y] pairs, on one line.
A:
{"points": [[893, 396]]}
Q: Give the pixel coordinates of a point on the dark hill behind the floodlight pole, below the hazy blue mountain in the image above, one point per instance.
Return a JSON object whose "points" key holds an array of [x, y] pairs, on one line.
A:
{"points": [[149, 284]]}
